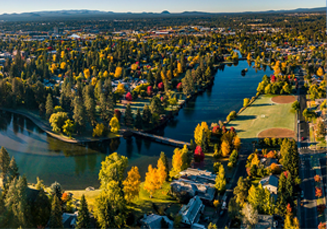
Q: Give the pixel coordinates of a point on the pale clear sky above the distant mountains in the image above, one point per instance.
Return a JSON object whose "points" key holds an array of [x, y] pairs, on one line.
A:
{"points": [[19, 6]]}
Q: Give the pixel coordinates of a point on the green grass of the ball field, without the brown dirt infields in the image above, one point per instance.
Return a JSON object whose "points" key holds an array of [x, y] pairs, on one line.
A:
{"points": [[261, 115]]}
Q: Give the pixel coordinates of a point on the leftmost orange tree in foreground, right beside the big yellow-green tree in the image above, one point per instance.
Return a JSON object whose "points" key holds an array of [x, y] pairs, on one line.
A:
{"points": [[132, 184]]}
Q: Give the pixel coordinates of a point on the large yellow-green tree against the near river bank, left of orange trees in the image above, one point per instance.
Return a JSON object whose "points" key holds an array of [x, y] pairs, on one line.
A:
{"points": [[112, 169]]}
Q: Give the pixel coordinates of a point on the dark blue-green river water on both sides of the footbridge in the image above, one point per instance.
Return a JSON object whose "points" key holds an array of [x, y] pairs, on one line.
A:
{"points": [[77, 167]]}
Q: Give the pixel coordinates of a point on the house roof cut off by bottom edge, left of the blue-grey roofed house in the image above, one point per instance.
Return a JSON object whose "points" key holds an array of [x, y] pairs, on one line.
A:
{"points": [[155, 221]]}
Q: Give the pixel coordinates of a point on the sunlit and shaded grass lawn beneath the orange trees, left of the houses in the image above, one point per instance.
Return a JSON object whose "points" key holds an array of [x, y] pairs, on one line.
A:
{"points": [[144, 204]]}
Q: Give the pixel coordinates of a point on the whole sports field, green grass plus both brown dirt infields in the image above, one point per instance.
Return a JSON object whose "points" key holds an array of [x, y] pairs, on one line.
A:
{"points": [[266, 118]]}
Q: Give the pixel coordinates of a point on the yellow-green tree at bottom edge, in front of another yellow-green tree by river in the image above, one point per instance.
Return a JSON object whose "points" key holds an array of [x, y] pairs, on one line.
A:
{"points": [[110, 206]]}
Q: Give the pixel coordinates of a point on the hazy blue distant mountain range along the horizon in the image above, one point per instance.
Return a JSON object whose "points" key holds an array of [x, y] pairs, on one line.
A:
{"points": [[60, 14]]}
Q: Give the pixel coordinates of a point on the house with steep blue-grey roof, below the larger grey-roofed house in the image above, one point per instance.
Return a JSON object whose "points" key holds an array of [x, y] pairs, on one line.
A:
{"points": [[192, 211]]}
